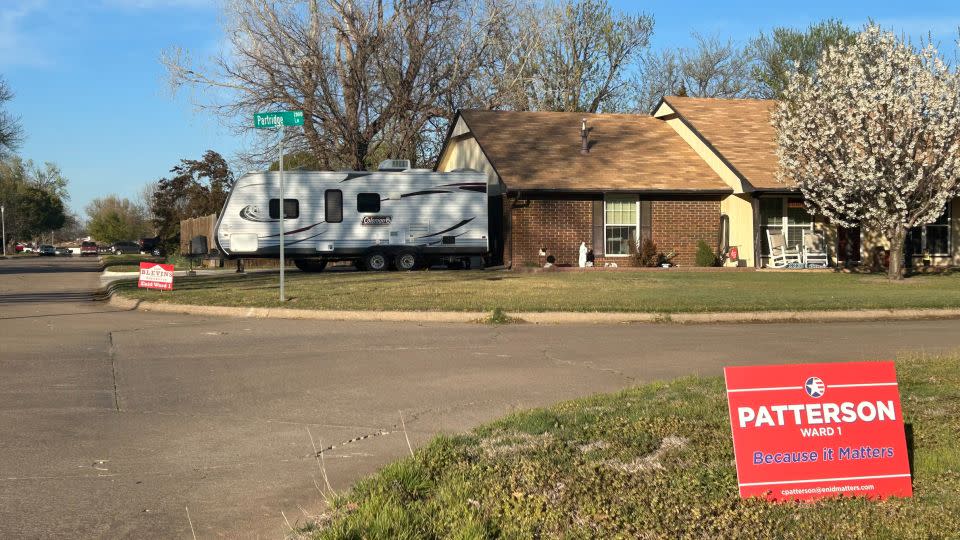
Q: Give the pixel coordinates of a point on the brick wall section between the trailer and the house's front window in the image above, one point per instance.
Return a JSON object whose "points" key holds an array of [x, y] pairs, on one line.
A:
{"points": [[556, 226]]}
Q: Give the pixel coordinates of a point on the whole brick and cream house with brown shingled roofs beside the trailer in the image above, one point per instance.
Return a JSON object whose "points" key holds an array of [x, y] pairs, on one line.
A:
{"points": [[696, 169]]}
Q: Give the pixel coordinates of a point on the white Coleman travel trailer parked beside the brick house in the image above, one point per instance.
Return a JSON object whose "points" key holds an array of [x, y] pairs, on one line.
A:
{"points": [[400, 219]]}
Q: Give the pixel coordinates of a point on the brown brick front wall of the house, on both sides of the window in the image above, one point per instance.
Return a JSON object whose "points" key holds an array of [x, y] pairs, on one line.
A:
{"points": [[558, 226]]}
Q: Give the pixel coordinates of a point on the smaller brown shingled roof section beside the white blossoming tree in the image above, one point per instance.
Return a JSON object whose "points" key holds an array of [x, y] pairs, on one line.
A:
{"points": [[740, 131]]}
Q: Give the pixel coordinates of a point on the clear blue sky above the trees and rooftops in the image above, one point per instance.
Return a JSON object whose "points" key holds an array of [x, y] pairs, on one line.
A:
{"points": [[93, 96]]}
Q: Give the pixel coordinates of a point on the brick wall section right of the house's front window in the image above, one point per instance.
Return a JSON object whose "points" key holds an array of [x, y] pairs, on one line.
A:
{"points": [[679, 225]]}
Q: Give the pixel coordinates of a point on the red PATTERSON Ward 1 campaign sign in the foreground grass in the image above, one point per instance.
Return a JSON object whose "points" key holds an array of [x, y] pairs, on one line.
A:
{"points": [[808, 431]]}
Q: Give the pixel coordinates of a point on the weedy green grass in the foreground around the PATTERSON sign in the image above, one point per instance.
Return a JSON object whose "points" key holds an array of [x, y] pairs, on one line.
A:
{"points": [[651, 462]]}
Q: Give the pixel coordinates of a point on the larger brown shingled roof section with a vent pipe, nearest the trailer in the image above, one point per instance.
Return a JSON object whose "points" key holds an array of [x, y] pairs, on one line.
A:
{"points": [[541, 151]]}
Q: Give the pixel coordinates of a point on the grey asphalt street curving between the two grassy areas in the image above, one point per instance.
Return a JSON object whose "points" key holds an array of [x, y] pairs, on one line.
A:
{"points": [[119, 423]]}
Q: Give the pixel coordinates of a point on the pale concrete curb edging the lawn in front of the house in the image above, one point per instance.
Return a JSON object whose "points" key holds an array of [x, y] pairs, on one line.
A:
{"points": [[121, 302]]}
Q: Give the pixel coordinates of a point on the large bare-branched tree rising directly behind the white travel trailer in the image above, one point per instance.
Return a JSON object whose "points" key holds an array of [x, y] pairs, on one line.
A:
{"points": [[369, 77]]}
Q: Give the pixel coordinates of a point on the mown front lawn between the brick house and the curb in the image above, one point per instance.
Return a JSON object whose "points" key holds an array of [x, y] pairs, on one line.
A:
{"points": [[667, 291]]}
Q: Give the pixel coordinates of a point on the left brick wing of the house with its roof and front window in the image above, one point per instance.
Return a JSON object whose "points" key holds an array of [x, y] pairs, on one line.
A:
{"points": [[554, 184]]}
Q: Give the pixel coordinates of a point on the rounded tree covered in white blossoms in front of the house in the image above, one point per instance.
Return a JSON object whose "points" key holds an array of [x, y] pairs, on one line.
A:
{"points": [[873, 137]]}
